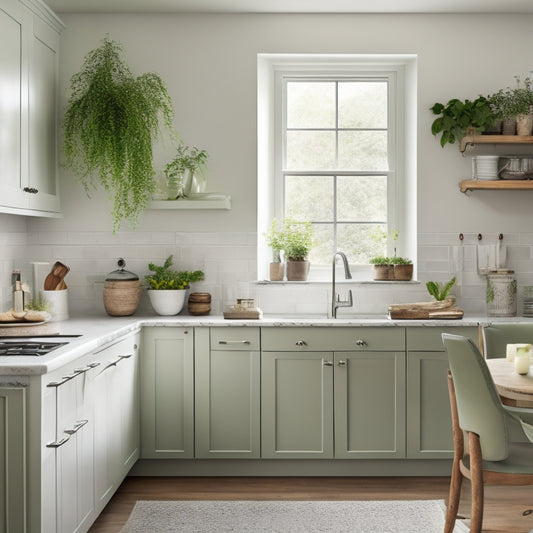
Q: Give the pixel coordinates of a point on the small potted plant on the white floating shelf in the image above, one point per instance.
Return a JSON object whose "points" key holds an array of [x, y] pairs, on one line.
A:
{"points": [[187, 164]]}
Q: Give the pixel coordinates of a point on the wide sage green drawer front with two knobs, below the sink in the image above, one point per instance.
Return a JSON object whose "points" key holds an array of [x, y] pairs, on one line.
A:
{"points": [[333, 339]]}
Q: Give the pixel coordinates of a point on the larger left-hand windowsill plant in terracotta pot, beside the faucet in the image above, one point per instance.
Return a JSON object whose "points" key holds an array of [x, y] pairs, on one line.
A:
{"points": [[298, 241]]}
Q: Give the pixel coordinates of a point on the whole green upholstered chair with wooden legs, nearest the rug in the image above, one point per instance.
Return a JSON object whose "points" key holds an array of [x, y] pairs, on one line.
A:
{"points": [[478, 414]]}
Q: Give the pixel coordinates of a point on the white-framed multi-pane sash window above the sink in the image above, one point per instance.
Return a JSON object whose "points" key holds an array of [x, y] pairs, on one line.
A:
{"points": [[333, 130]]}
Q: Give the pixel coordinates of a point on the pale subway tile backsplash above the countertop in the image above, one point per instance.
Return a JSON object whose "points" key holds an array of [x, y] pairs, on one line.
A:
{"points": [[229, 262]]}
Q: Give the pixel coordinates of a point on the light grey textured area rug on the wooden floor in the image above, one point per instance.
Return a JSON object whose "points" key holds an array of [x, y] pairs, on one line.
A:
{"points": [[419, 516]]}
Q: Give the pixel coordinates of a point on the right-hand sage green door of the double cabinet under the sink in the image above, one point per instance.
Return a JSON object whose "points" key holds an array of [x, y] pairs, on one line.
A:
{"points": [[369, 405]]}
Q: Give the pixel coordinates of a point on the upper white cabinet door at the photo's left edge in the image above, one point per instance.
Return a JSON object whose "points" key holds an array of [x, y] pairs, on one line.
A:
{"points": [[15, 27]]}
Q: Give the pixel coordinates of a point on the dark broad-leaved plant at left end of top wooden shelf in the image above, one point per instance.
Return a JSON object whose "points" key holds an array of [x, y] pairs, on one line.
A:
{"points": [[457, 118]]}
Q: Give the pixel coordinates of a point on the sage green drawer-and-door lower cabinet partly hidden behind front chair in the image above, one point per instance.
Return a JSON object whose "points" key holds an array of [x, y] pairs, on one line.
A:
{"points": [[429, 425]]}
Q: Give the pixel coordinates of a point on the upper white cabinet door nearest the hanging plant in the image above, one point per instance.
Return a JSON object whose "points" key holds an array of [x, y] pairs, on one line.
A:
{"points": [[43, 75]]}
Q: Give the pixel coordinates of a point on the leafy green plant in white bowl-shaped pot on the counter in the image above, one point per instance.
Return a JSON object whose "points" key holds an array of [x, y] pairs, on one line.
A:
{"points": [[167, 287]]}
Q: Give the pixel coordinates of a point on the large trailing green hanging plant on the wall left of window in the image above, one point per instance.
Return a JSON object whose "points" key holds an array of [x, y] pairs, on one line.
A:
{"points": [[110, 123]]}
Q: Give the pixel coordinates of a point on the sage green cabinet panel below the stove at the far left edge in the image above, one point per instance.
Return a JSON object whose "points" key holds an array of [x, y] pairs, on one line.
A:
{"points": [[12, 460]]}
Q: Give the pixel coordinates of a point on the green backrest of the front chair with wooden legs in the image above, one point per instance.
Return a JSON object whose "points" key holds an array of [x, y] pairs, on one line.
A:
{"points": [[478, 404]]}
